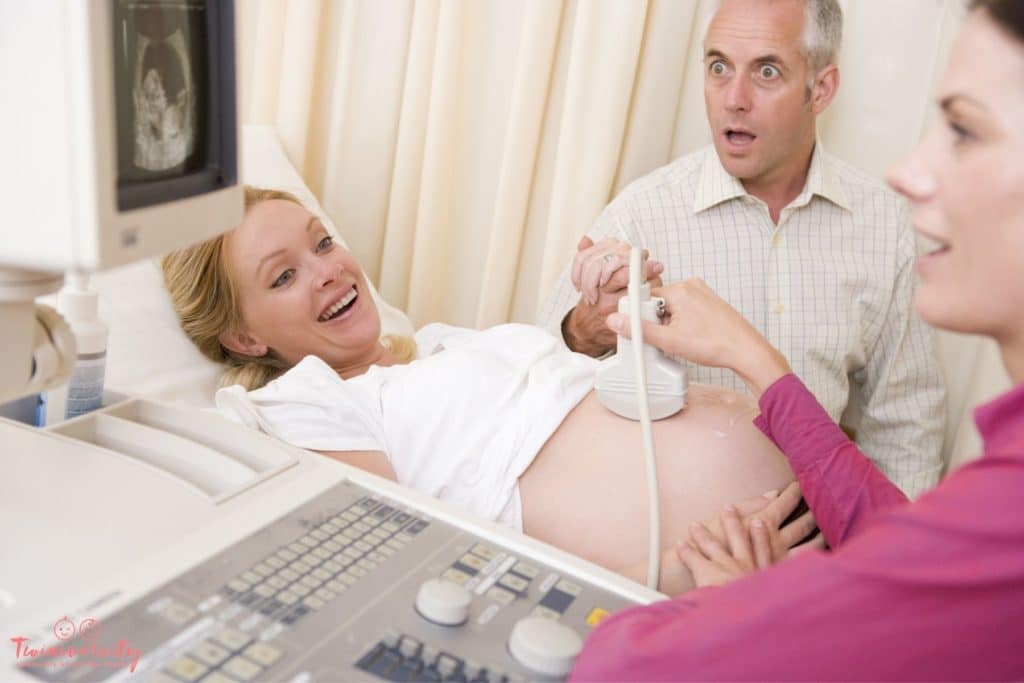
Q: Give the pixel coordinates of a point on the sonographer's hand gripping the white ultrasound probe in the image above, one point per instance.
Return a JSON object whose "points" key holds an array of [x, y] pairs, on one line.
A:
{"points": [[701, 327]]}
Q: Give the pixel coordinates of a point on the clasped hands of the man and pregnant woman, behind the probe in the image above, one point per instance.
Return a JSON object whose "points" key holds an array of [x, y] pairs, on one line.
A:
{"points": [[601, 274]]}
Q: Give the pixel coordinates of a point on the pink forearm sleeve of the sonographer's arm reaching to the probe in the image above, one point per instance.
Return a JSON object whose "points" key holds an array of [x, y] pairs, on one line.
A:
{"points": [[843, 488]]}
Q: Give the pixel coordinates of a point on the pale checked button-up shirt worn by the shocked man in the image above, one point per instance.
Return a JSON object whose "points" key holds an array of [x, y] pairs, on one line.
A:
{"points": [[831, 286]]}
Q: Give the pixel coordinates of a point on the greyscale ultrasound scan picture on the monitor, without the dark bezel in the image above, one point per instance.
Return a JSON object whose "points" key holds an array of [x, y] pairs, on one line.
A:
{"points": [[161, 86]]}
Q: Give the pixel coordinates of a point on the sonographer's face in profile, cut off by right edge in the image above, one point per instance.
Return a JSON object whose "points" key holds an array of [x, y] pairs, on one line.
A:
{"points": [[966, 182]]}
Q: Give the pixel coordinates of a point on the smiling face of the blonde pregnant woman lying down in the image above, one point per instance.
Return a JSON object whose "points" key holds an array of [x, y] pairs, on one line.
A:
{"points": [[300, 293]]}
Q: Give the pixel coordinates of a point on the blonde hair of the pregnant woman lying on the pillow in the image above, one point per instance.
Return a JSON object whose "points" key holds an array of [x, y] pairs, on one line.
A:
{"points": [[206, 302]]}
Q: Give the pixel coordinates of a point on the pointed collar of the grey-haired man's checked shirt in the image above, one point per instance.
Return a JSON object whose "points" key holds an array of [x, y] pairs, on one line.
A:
{"points": [[717, 186]]}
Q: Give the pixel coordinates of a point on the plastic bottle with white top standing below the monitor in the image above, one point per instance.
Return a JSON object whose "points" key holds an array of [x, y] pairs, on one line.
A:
{"points": [[84, 391]]}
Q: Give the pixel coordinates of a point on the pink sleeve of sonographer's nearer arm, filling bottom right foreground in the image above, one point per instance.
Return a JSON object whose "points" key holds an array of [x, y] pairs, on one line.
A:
{"points": [[932, 591]]}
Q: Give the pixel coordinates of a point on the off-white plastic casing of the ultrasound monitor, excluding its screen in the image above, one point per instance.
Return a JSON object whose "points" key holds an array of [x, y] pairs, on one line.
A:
{"points": [[60, 168]]}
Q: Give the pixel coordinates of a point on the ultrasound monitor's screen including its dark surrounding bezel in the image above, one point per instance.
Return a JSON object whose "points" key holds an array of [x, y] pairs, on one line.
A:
{"points": [[172, 118]]}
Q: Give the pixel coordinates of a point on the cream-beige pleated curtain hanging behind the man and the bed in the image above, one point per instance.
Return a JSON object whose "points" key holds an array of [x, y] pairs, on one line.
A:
{"points": [[464, 146]]}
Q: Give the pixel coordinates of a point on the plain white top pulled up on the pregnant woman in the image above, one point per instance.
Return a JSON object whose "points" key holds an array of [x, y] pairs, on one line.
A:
{"points": [[460, 425]]}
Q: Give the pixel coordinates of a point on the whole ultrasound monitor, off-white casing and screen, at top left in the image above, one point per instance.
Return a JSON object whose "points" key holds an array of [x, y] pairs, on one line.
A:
{"points": [[120, 131]]}
